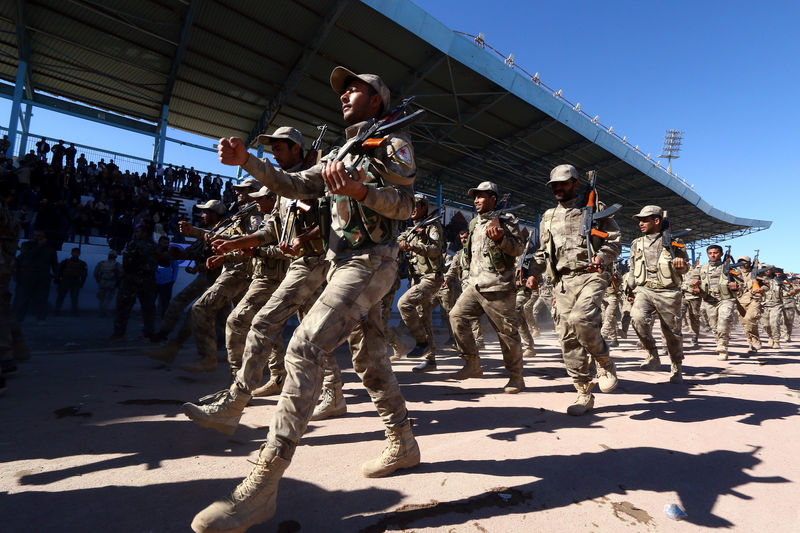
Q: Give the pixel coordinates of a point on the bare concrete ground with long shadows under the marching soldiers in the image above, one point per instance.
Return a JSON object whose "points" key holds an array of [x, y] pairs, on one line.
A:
{"points": [[93, 440]]}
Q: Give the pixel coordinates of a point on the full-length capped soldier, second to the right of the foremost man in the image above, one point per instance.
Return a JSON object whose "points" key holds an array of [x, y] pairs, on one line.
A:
{"points": [[493, 244]]}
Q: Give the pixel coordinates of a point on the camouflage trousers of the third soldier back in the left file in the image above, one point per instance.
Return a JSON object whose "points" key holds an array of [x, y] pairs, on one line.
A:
{"points": [[238, 323]]}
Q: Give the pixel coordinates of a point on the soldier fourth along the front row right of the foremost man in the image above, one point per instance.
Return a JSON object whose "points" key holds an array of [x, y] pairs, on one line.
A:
{"points": [[718, 302]]}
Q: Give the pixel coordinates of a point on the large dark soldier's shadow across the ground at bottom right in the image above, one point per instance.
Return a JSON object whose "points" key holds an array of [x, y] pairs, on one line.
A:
{"points": [[699, 481]]}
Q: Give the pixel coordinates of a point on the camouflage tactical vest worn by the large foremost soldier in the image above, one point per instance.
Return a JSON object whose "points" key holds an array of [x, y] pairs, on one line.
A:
{"points": [[357, 224]]}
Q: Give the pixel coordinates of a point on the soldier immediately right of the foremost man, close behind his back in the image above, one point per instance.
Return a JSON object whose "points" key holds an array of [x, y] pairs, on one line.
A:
{"points": [[423, 248]]}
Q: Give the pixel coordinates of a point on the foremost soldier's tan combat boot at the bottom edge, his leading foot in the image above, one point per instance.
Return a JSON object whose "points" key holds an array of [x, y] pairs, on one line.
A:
{"points": [[252, 501]]}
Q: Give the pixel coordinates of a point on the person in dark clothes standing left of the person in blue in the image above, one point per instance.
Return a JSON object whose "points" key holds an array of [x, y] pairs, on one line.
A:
{"points": [[138, 281]]}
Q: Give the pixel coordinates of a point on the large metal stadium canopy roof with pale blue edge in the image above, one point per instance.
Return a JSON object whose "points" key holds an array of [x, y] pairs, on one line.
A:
{"points": [[239, 67]]}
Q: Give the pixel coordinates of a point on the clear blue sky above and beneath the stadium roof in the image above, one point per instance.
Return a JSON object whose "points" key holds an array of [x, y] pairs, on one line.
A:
{"points": [[727, 73]]}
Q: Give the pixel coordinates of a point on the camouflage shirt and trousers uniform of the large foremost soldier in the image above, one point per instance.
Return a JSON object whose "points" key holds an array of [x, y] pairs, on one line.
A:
{"points": [[349, 307]]}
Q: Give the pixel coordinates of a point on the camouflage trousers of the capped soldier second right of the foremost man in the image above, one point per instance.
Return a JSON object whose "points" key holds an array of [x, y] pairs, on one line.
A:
{"points": [[499, 307]]}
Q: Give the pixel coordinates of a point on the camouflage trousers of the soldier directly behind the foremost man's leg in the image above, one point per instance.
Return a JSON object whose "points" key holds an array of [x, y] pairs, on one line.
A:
{"points": [[263, 346]]}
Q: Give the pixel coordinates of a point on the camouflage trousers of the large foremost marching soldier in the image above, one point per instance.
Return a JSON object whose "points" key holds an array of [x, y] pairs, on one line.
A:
{"points": [[348, 309]]}
